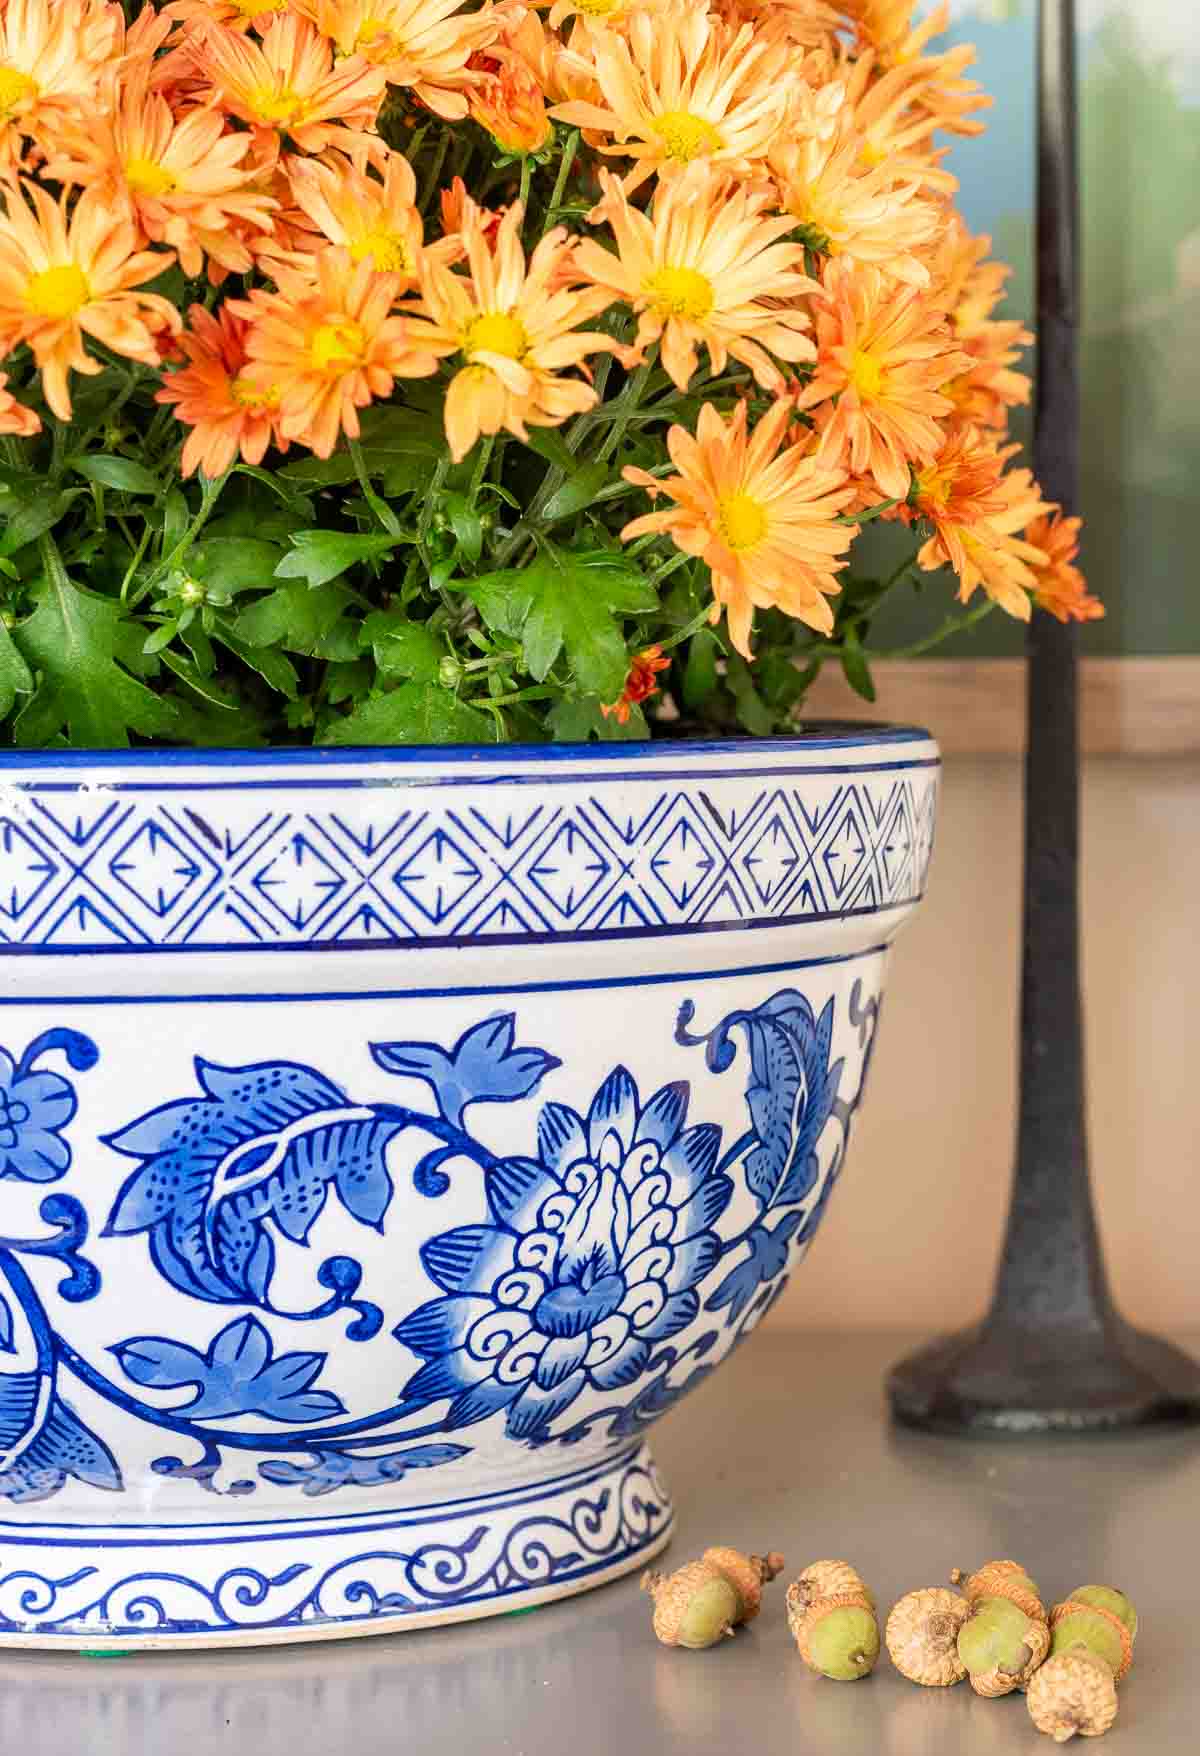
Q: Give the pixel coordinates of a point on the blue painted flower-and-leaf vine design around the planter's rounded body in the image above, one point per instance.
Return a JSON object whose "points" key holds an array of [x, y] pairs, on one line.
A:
{"points": [[600, 1249]]}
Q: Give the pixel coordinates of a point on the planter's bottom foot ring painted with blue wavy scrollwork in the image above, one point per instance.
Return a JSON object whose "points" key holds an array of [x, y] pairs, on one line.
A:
{"points": [[322, 1578]]}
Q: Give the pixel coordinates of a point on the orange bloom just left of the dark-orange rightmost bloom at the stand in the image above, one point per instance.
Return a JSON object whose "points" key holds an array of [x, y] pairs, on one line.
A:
{"points": [[976, 512]]}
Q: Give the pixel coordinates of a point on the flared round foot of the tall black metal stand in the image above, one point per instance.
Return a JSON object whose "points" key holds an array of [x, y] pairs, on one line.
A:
{"points": [[1018, 1381]]}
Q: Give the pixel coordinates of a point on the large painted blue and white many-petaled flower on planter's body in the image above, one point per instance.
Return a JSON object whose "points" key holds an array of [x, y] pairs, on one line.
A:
{"points": [[593, 1256]]}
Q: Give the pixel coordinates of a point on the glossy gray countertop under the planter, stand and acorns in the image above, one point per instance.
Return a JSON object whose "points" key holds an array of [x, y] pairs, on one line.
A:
{"points": [[786, 1448]]}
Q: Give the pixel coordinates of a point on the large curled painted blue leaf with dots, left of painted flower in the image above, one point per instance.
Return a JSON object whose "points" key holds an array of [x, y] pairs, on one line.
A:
{"points": [[263, 1144]]}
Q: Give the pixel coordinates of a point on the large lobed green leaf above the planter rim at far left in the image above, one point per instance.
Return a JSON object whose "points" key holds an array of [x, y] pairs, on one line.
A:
{"points": [[83, 645]]}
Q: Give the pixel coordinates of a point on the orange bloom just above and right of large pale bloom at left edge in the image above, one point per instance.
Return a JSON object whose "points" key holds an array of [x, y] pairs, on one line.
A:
{"points": [[185, 178]]}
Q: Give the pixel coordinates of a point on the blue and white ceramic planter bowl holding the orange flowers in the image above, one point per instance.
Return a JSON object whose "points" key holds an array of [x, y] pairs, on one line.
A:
{"points": [[387, 1139]]}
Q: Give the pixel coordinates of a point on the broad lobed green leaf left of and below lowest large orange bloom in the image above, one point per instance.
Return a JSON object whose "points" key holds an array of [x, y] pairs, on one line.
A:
{"points": [[568, 601]]}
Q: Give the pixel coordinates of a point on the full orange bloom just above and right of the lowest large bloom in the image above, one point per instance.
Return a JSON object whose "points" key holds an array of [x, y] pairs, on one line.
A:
{"points": [[883, 352]]}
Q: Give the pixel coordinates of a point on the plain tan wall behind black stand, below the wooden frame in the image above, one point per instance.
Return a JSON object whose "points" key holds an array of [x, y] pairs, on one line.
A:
{"points": [[914, 1230]]}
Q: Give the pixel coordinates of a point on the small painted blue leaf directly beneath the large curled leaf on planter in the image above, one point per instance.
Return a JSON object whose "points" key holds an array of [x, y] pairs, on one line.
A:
{"points": [[236, 1378]]}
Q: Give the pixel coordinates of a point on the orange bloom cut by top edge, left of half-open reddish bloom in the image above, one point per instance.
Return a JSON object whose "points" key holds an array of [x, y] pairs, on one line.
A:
{"points": [[421, 45]]}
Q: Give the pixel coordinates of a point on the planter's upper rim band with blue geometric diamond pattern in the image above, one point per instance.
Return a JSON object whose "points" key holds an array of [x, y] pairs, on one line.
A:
{"points": [[205, 865]]}
